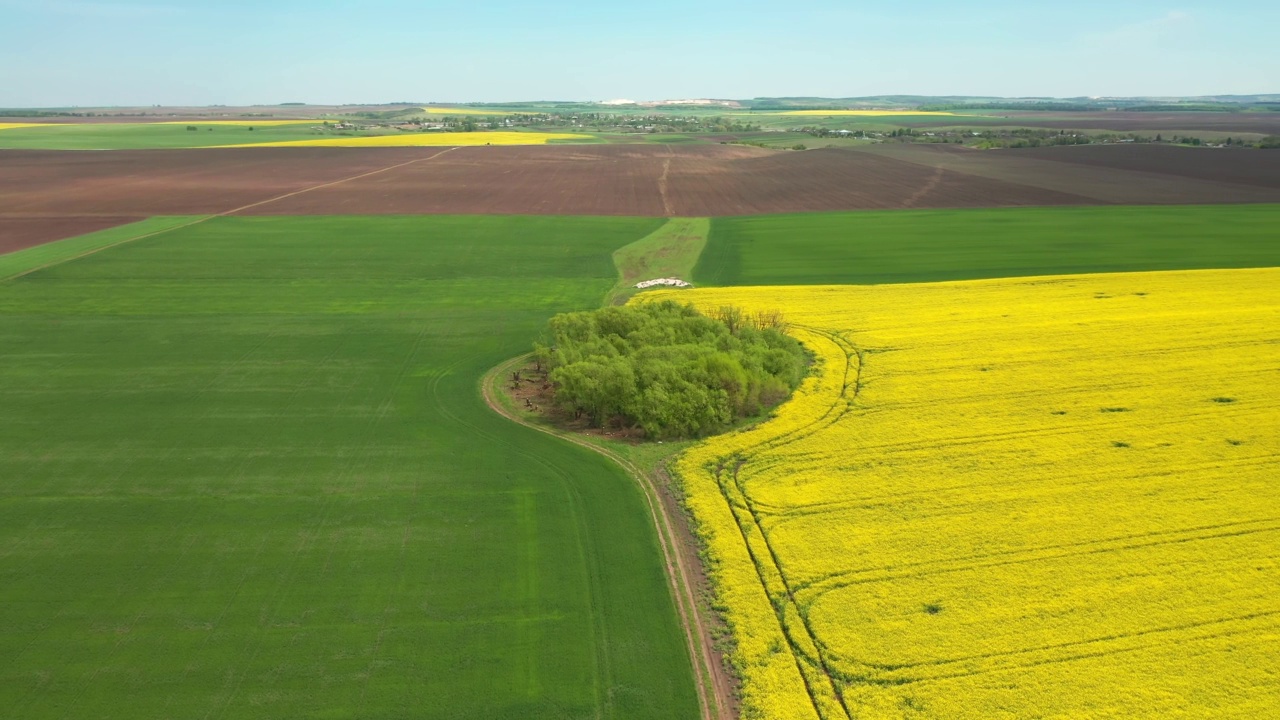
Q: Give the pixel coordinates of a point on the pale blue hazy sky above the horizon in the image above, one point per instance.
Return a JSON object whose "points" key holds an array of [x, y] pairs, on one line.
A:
{"points": [[97, 53]]}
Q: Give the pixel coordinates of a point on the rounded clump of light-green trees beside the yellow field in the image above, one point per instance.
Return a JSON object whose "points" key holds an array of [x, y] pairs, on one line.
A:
{"points": [[668, 370]]}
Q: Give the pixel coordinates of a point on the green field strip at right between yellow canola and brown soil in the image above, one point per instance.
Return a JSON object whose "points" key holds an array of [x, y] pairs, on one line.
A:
{"points": [[947, 245]]}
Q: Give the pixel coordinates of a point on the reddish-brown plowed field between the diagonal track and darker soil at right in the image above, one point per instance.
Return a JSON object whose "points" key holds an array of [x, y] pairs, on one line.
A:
{"points": [[682, 180]]}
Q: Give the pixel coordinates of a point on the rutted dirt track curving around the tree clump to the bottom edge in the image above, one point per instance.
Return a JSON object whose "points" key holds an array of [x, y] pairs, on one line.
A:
{"points": [[680, 559]]}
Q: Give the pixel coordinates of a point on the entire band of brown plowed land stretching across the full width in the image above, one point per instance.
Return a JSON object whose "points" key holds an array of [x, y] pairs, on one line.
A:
{"points": [[45, 195]]}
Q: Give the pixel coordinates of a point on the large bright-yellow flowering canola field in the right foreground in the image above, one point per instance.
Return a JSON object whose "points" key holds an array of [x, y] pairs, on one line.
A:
{"points": [[1034, 498]]}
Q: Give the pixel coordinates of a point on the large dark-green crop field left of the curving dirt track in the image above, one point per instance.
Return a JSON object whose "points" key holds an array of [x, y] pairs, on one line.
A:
{"points": [[249, 475]]}
